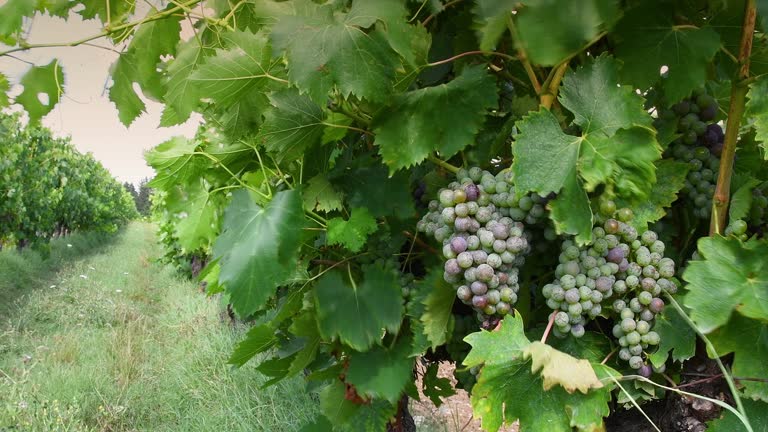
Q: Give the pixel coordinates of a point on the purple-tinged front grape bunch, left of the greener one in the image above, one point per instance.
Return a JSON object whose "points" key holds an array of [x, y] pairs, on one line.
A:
{"points": [[479, 221]]}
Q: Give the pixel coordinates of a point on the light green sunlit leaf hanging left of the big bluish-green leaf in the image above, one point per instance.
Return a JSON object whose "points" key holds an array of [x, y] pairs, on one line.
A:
{"points": [[192, 204]]}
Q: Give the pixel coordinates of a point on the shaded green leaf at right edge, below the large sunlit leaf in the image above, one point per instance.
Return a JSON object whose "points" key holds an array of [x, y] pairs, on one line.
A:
{"points": [[747, 339]]}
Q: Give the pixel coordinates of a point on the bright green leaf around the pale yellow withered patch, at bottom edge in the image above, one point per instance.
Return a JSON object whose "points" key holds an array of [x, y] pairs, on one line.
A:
{"points": [[506, 375]]}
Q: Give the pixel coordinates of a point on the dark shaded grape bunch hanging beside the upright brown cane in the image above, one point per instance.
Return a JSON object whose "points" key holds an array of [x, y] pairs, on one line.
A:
{"points": [[700, 145]]}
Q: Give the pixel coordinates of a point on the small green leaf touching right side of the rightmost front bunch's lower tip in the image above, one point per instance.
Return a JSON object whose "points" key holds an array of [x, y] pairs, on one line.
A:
{"points": [[676, 336]]}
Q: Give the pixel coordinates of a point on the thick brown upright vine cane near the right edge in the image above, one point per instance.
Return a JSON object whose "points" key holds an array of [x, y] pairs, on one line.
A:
{"points": [[735, 113]]}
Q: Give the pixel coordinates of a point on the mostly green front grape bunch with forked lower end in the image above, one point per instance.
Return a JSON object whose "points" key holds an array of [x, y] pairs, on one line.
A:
{"points": [[621, 273]]}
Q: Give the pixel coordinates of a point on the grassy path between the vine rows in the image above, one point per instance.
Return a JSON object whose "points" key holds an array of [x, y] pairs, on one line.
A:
{"points": [[122, 344]]}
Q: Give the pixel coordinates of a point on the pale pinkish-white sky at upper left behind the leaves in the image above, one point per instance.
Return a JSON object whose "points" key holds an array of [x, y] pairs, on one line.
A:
{"points": [[85, 112]]}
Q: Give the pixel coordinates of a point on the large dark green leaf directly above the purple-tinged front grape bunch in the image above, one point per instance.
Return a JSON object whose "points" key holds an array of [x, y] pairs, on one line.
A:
{"points": [[444, 118]]}
